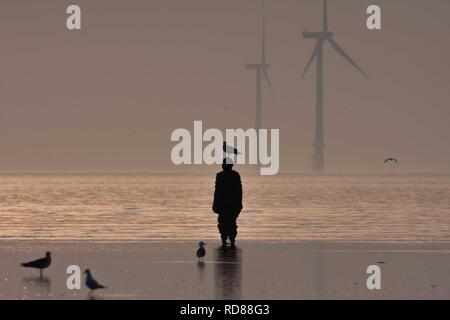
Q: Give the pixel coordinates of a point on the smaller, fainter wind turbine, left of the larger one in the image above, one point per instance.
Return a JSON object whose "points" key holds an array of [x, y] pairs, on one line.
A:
{"points": [[261, 72]]}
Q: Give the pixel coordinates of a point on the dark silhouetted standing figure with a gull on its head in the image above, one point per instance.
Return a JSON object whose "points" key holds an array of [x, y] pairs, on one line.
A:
{"points": [[228, 202]]}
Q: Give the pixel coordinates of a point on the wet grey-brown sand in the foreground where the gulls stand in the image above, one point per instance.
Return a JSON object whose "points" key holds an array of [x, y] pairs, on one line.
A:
{"points": [[257, 270]]}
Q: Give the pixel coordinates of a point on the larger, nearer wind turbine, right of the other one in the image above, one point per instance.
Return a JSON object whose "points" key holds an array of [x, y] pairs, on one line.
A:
{"points": [[321, 37]]}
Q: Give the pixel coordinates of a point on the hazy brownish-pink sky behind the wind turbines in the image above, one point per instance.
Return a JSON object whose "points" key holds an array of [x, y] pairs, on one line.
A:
{"points": [[108, 97]]}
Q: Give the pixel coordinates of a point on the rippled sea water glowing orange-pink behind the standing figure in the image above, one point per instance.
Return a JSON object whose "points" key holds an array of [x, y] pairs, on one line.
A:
{"points": [[117, 208]]}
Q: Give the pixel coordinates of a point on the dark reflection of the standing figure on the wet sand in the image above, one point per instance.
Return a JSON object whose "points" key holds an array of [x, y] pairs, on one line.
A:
{"points": [[228, 274]]}
